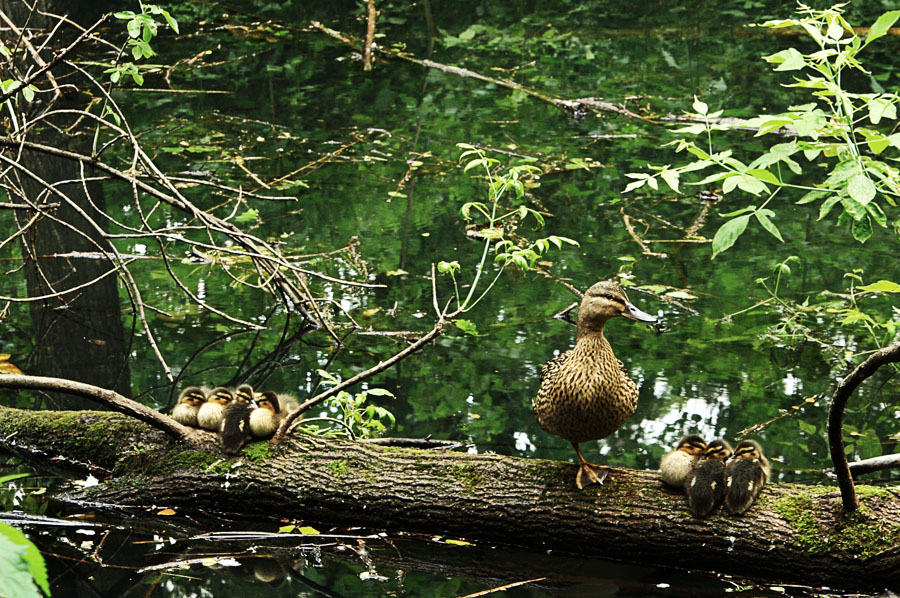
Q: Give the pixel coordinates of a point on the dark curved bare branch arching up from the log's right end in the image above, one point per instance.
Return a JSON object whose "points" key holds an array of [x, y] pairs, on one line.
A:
{"points": [[836, 415]]}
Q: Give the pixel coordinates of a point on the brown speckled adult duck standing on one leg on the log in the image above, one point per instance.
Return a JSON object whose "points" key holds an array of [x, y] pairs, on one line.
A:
{"points": [[586, 394]]}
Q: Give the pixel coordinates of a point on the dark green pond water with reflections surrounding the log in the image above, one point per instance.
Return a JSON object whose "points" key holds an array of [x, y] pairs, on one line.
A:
{"points": [[297, 96]]}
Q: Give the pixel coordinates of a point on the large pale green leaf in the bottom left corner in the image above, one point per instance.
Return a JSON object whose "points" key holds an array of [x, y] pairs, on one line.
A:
{"points": [[22, 569]]}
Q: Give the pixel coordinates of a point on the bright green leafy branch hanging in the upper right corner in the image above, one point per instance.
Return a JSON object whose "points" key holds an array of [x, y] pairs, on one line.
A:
{"points": [[861, 177]]}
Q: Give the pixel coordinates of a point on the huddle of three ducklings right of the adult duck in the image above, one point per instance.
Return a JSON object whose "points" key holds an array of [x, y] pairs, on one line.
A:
{"points": [[714, 473]]}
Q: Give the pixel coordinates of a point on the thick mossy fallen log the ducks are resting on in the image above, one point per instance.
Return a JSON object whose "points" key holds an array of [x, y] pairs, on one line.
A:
{"points": [[794, 533]]}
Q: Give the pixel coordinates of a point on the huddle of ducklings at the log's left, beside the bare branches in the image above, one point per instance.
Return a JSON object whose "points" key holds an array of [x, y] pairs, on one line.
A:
{"points": [[237, 415]]}
